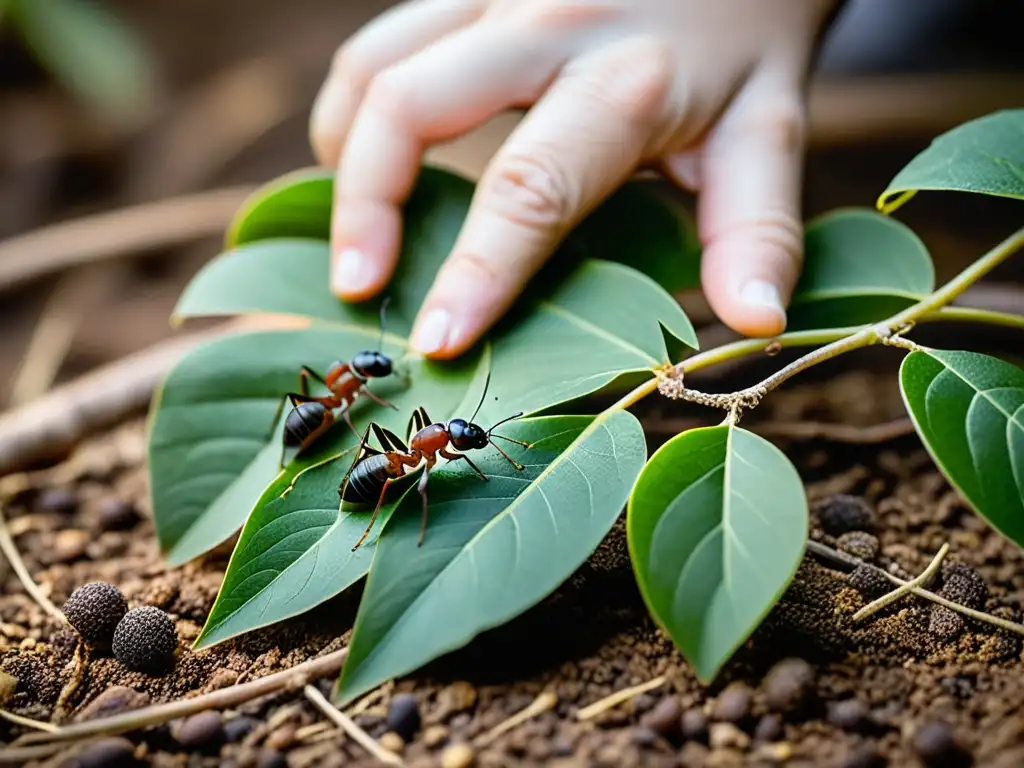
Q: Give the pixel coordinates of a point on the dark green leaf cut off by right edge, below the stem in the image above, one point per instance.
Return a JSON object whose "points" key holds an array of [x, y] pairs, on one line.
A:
{"points": [[969, 411]]}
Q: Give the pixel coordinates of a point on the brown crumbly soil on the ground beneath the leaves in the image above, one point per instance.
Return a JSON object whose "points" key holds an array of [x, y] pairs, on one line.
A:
{"points": [[879, 693]]}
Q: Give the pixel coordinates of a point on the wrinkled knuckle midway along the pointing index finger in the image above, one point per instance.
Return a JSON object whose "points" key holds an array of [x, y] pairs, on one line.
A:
{"points": [[531, 192]]}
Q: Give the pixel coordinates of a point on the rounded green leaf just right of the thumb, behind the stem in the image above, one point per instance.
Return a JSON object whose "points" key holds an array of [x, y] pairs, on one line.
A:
{"points": [[860, 267]]}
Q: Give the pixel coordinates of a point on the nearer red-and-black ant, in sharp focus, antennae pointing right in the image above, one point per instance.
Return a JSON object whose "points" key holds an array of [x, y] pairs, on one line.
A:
{"points": [[373, 472]]}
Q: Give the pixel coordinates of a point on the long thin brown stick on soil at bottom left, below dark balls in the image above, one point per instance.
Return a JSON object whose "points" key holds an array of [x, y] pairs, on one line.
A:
{"points": [[224, 699]]}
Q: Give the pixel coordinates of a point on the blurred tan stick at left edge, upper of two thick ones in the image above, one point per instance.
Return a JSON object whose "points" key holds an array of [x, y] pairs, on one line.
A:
{"points": [[121, 233]]}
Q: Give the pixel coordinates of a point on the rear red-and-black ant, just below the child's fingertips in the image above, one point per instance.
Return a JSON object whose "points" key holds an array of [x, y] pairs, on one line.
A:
{"points": [[311, 417]]}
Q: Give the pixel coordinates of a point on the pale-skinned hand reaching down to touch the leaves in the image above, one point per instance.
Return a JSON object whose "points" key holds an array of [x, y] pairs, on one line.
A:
{"points": [[711, 93]]}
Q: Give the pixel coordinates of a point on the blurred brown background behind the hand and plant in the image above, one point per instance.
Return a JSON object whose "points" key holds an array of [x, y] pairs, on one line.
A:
{"points": [[131, 132]]}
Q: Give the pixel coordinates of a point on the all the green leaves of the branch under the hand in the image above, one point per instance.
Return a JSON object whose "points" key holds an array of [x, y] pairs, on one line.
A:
{"points": [[717, 520]]}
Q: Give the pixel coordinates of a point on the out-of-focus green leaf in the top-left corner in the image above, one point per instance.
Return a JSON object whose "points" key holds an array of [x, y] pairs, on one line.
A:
{"points": [[91, 52]]}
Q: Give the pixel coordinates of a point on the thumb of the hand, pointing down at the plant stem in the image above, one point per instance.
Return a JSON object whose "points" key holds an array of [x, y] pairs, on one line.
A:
{"points": [[750, 209]]}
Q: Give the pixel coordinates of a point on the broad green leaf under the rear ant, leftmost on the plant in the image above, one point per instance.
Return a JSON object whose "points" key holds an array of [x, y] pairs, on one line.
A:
{"points": [[211, 449]]}
